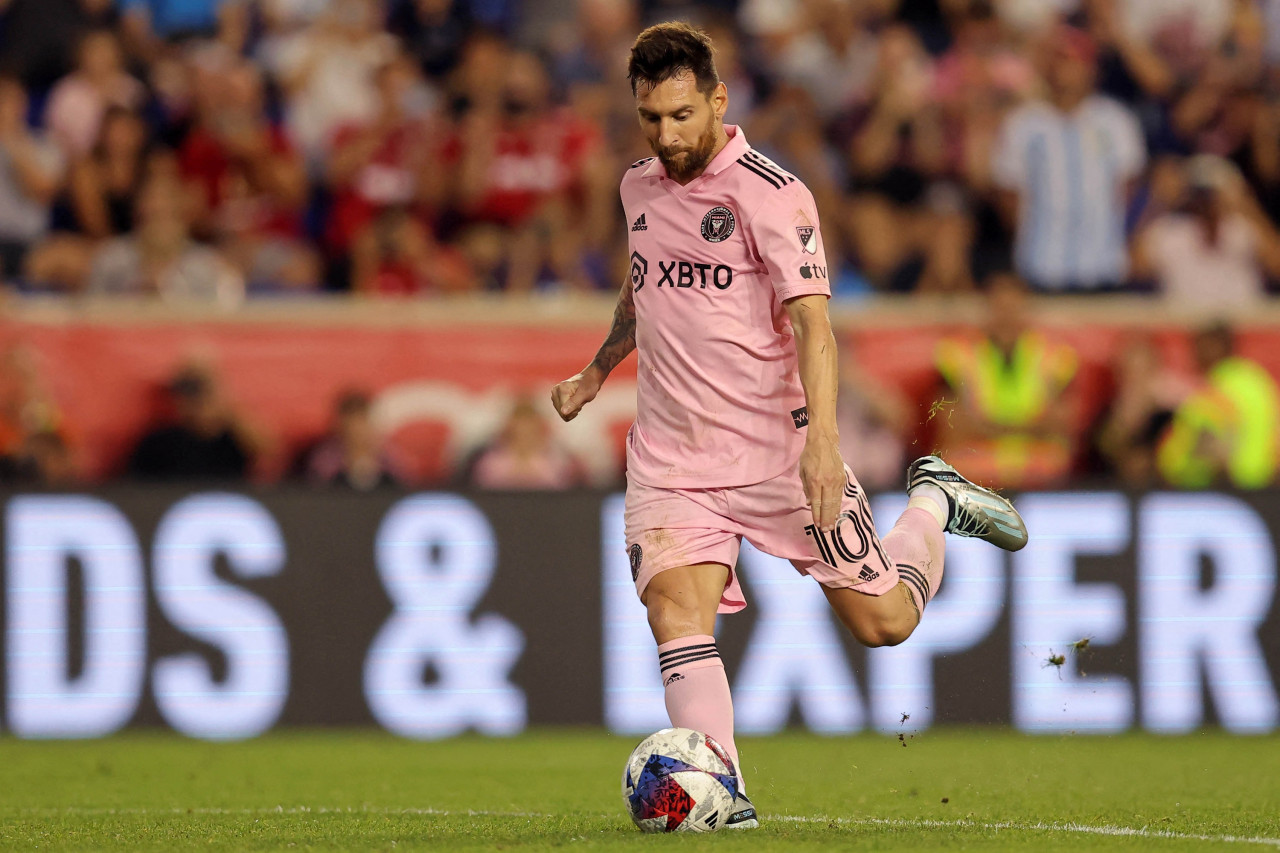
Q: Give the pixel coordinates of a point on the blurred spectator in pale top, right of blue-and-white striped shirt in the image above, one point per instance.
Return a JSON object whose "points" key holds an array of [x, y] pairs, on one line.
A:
{"points": [[1217, 249]]}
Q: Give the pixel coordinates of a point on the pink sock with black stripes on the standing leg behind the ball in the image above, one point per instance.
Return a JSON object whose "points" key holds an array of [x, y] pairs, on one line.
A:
{"points": [[697, 690]]}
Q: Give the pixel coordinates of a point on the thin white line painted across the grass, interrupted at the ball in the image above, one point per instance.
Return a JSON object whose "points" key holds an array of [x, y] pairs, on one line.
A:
{"points": [[1039, 827]]}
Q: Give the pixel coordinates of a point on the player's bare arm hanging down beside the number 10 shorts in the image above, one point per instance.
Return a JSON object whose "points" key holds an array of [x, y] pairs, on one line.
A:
{"points": [[822, 472]]}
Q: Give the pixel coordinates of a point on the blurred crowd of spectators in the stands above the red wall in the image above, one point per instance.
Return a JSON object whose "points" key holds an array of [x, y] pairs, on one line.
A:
{"points": [[221, 149]]}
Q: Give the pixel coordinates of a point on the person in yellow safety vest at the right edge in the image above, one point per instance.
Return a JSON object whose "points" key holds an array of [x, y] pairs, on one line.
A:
{"points": [[1226, 434]]}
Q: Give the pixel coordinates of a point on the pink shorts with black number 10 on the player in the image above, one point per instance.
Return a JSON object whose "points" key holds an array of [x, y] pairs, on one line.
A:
{"points": [[671, 528]]}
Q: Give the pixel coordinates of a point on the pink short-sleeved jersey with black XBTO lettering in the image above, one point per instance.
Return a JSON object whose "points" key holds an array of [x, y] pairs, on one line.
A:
{"points": [[720, 402]]}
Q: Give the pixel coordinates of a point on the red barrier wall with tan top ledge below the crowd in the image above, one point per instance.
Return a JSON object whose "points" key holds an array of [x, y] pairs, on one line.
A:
{"points": [[444, 375]]}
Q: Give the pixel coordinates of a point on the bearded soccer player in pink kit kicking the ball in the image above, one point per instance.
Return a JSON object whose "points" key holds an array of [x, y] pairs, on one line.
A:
{"points": [[735, 432]]}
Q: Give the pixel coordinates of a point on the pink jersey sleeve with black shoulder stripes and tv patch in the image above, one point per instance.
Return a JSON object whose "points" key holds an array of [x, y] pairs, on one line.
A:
{"points": [[789, 240]]}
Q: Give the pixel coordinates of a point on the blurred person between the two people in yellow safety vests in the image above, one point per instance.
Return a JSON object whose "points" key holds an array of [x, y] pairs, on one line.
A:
{"points": [[1142, 403]]}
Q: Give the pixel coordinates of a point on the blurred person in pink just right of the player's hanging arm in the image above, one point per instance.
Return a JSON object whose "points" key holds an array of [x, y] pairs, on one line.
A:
{"points": [[874, 419]]}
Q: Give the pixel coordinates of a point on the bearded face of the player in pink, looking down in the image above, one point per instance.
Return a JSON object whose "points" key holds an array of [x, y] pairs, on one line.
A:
{"points": [[682, 124]]}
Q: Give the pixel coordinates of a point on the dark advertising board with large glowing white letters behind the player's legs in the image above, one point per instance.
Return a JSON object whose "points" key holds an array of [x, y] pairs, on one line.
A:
{"points": [[226, 614]]}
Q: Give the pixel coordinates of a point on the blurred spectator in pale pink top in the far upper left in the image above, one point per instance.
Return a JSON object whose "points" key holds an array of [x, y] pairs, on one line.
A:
{"points": [[80, 102]]}
